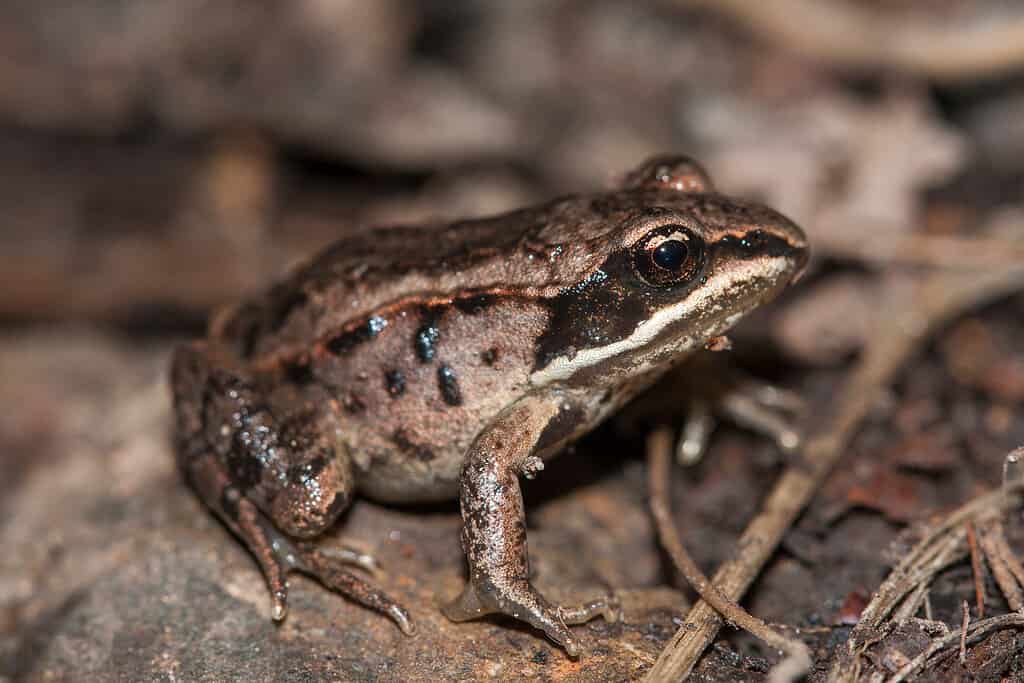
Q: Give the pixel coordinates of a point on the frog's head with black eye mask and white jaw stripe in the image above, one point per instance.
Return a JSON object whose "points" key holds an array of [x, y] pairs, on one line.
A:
{"points": [[672, 265]]}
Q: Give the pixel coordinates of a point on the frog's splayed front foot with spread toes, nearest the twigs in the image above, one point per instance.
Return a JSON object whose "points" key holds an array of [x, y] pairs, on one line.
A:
{"points": [[522, 602]]}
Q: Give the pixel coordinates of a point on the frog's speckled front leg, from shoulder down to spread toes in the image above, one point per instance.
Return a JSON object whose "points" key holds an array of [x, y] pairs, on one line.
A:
{"points": [[494, 535]]}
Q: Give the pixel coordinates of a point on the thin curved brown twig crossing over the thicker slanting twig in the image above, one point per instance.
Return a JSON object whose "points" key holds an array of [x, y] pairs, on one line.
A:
{"points": [[798, 661]]}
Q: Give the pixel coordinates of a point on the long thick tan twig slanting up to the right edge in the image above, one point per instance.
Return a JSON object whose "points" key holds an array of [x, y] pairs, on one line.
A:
{"points": [[911, 319]]}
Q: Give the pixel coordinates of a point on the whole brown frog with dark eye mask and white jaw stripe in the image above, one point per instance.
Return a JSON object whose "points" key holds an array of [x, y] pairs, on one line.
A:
{"points": [[423, 364]]}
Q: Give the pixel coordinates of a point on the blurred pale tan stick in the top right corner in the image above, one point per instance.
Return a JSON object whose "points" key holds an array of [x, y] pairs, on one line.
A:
{"points": [[847, 35]]}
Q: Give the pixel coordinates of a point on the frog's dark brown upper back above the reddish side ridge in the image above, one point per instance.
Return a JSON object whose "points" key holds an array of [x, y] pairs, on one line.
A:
{"points": [[382, 268]]}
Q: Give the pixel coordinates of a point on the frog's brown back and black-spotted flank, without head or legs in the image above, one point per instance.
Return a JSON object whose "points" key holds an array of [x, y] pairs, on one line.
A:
{"points": [[412, 339]]}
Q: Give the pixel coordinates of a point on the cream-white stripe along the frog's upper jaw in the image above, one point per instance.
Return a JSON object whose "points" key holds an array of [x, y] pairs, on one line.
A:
{"points": [[717, 306]]}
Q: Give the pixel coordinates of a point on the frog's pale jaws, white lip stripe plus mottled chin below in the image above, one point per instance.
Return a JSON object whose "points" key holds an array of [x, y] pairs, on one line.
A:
{"points": [[732, 288]]}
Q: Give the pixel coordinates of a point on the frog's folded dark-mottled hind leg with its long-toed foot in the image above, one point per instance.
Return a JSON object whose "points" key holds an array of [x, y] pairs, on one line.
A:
{"points": [[271, 481]]}
